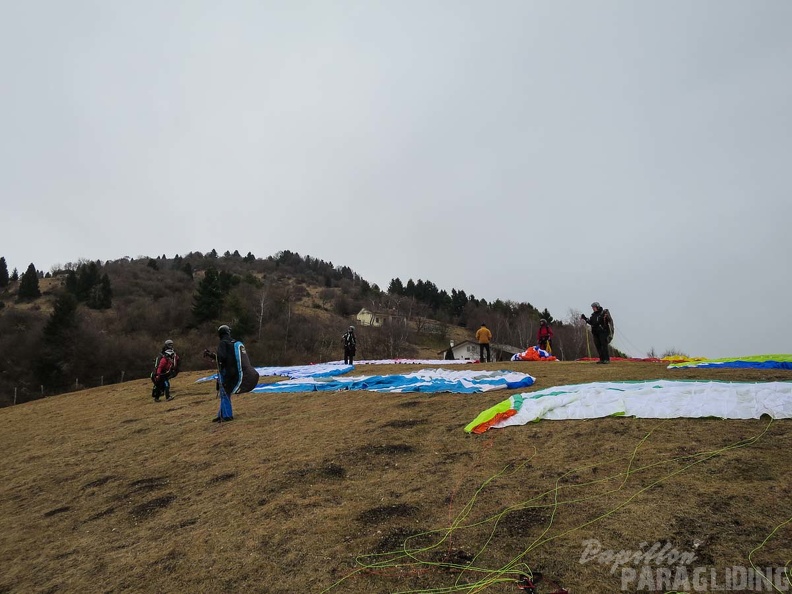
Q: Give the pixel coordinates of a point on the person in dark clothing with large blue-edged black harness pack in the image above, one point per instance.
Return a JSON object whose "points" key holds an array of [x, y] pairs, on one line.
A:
{"points": [[235, 374]]}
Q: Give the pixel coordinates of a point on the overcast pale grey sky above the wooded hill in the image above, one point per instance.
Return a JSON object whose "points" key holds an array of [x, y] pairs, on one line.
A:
{"points": [[637, 153]]}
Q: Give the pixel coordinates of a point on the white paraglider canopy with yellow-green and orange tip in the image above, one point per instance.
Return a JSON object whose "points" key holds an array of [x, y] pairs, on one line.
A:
{"points": [[660, 399]]}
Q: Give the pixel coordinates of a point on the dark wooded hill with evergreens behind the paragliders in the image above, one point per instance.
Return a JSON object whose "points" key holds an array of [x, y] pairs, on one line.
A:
{"points": [[92, 323]]}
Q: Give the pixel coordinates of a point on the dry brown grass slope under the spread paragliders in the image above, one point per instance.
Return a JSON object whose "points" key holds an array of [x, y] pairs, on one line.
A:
{"points": [[107, 491]]}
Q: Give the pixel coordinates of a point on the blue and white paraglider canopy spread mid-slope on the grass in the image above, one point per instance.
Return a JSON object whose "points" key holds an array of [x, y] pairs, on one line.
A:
{"points": [[426, 380]]}
